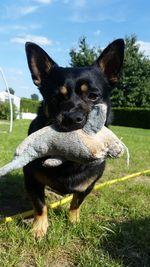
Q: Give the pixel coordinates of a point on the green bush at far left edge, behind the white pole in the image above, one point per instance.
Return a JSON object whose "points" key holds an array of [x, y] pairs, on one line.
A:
{"points": [[5, 111]]}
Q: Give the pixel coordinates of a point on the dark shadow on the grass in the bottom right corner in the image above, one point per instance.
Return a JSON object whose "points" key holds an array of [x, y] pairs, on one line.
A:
{"points": [[130, 243]]}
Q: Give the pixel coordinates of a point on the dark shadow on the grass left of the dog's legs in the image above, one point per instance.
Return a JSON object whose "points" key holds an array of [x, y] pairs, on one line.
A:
{"points": [[13, 197]]}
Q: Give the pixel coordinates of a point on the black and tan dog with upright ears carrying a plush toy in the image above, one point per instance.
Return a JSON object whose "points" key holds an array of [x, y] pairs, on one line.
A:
{"points": [[69, 94]]}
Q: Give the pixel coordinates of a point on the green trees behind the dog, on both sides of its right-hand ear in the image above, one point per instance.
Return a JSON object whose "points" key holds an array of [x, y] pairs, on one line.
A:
{"points": [[133, 89]]}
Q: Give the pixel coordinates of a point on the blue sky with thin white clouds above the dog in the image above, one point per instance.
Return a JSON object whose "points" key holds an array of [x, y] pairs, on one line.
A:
{"points": [[57, 25]]}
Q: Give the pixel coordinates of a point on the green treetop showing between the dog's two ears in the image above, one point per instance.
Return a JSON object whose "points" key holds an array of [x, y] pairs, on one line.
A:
{"points": [[85, 55]]}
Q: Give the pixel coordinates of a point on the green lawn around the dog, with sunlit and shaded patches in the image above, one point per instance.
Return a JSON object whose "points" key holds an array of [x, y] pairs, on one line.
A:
{"points": [[115, 221]]}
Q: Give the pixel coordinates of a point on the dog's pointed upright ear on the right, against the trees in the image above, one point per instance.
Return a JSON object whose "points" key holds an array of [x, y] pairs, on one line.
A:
{"points": [[111, 59]]}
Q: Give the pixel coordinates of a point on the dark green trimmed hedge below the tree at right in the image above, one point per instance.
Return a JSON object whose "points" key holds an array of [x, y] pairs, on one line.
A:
{"points": [[132, 117]]}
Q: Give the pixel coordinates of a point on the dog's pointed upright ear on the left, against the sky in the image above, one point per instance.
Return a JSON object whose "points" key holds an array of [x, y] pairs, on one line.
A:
{"points": [[39, 62]]}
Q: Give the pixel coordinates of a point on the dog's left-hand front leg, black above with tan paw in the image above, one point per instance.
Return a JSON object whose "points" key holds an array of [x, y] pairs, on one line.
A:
{"points": [[36, 192]]}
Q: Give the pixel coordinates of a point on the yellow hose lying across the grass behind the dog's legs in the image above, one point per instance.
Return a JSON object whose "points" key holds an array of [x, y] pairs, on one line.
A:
{"points": [[67, 199]]}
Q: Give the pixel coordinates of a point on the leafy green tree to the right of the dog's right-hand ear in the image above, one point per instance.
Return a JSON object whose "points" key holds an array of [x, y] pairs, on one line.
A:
{"points": [[133, 90]]}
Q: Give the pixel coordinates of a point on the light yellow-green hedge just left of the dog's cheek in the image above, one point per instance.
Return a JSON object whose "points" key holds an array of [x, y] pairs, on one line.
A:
{"points": [[29, 105]]}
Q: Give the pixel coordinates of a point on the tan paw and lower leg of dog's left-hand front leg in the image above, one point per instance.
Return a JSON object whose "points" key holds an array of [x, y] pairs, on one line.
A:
{"points": [[40, 224]]}
